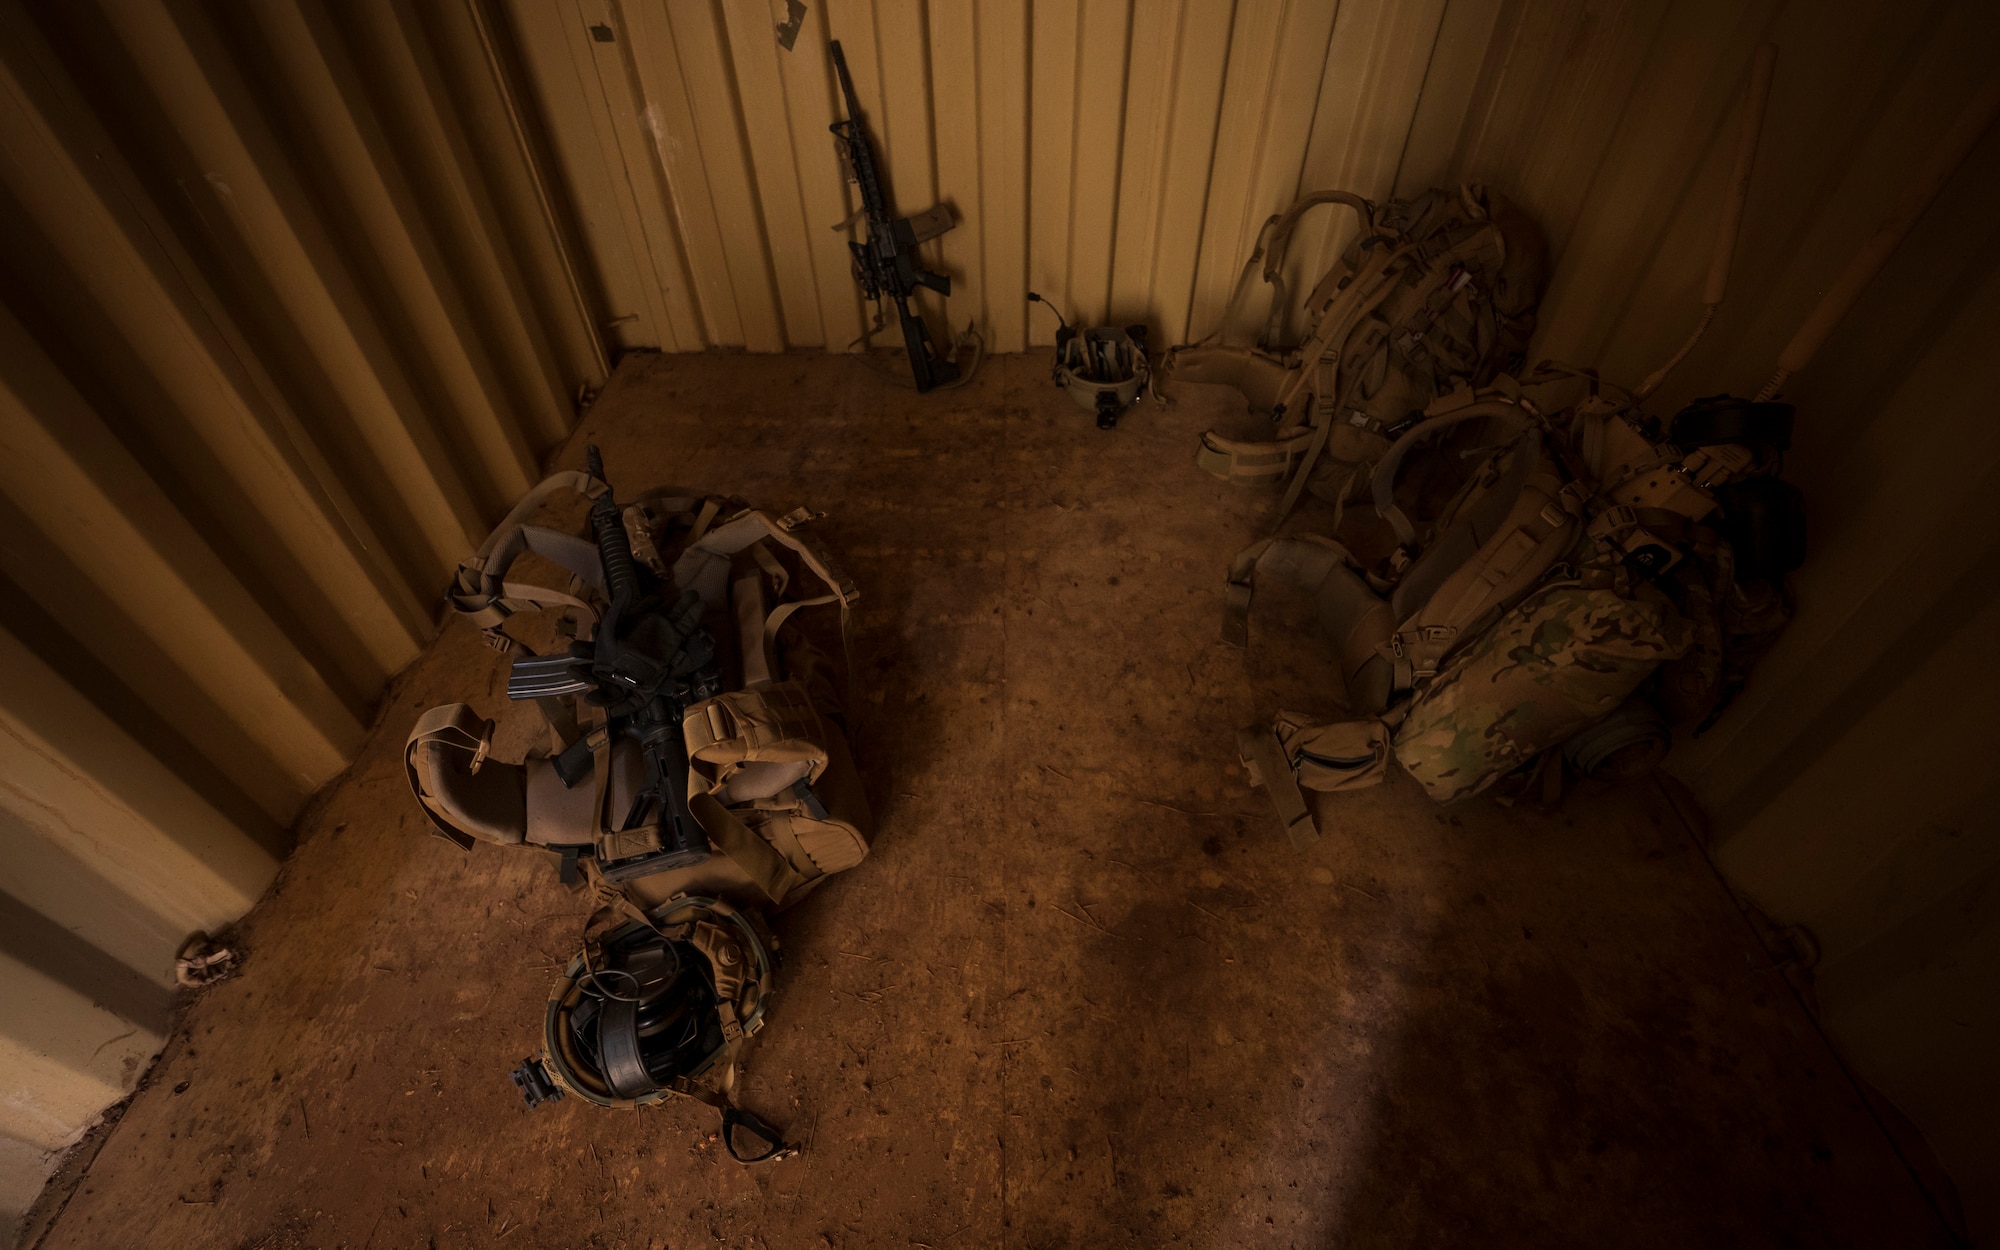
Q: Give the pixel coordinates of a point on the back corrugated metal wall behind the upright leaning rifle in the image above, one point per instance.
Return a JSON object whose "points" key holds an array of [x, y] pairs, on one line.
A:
{"points": [[1121, 157]]}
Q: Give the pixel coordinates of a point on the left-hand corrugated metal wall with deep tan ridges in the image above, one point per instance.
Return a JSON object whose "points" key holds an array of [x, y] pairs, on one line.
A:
{"points": [[283, 329]]}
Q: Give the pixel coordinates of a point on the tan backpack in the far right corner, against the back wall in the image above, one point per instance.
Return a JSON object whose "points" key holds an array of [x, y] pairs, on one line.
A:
{"points": [[1435, 293]]}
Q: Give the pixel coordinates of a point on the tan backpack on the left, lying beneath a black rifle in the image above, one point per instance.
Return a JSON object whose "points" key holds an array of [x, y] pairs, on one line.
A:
{"points": [[771, 775]]}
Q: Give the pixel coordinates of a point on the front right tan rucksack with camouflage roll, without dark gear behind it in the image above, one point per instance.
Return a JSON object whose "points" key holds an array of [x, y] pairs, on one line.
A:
{"points": [[1507, 623]]}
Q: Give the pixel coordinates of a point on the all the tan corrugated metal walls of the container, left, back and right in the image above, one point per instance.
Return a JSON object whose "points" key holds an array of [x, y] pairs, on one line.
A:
{"points": [[289, 317]]}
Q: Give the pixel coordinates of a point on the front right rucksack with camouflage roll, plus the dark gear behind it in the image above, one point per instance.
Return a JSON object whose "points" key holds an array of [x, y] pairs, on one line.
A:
{"points": [[1533, 609]]}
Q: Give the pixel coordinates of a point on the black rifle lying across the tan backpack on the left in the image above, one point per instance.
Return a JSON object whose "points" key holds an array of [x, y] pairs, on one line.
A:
{"points": [[647, 665]]}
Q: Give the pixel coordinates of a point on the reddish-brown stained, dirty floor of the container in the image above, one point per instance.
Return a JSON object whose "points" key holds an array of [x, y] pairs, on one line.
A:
{"points": [[1083, 993]]}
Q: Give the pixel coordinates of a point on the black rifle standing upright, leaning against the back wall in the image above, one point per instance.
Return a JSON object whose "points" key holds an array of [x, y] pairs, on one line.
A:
{"points": [[887, 263]]}
